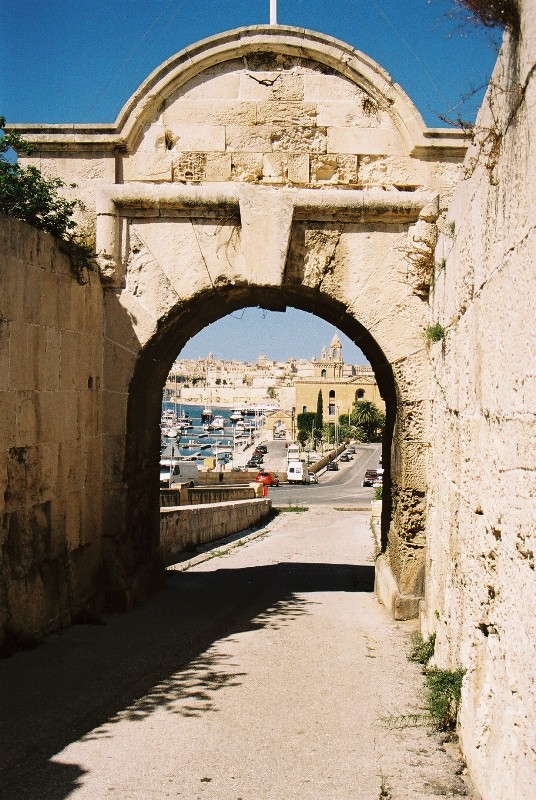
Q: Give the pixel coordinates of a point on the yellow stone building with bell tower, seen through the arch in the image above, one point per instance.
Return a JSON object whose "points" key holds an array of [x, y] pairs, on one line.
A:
{"points": [[341, 384]]}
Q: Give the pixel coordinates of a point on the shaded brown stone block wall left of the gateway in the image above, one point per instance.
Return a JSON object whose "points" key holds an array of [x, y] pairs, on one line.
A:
{"points": [[50, 434]]}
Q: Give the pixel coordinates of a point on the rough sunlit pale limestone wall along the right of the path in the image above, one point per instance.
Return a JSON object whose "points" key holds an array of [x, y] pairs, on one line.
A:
{"points": [[481, 580]]}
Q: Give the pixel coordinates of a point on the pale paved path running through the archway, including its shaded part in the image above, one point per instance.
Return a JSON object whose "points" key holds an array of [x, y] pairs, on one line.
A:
{"points": [[260, 674]]}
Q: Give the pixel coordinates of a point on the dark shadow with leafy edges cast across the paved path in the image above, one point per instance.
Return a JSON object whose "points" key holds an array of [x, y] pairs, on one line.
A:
{"points": [[83, 680]]}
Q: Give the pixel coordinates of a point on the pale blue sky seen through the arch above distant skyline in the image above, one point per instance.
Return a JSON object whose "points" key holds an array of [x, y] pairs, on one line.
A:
{"points": [[251, 332]]}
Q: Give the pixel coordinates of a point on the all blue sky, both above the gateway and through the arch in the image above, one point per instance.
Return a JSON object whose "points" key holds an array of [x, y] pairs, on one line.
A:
{"points": [[80, 60]]}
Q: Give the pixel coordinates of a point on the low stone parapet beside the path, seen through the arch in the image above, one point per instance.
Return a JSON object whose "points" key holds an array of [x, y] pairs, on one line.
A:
{"points": [[185, 527]]}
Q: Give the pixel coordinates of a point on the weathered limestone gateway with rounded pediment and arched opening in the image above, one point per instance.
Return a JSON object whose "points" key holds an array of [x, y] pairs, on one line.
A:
{"points": [[266, 166]]}
